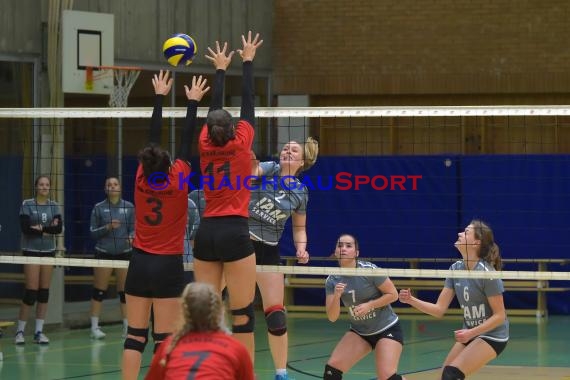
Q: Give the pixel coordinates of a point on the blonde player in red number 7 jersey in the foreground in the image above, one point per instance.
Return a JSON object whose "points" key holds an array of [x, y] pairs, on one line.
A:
{"points": [[201, 349]]}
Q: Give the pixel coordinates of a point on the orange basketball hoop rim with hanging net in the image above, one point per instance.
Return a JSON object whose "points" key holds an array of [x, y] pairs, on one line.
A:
{"points": [[124, 78]]}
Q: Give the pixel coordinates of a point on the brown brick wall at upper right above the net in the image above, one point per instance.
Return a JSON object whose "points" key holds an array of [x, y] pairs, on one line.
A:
{"points": [[421, 47]]}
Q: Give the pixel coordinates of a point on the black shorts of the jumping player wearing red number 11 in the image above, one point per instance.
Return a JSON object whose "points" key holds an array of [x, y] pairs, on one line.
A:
{"points": [[224, 238]]}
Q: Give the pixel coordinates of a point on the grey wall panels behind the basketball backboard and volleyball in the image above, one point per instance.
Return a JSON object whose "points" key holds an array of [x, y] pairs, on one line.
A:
{"points": [[141, 26]]}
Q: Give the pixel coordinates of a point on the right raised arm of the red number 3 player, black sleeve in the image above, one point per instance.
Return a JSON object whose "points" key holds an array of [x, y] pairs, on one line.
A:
{"points": [[194, 95]]}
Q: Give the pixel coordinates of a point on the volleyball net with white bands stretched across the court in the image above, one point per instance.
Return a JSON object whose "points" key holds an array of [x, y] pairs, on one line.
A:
{"points": [[403, 180]]}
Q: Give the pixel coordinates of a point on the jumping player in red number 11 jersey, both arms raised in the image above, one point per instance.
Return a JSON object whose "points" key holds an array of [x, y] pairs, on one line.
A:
{"points": [[222, 246]]}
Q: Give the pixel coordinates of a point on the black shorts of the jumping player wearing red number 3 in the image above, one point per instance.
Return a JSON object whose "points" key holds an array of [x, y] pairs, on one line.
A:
{"points": [[155, 276]]}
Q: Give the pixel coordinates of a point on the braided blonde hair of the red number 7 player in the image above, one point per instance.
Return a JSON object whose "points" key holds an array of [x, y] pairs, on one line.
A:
{"points": [[203, 311]]}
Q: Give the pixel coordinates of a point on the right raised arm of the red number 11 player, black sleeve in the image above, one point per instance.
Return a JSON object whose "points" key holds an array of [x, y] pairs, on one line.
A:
{"points": [[248, 96]]}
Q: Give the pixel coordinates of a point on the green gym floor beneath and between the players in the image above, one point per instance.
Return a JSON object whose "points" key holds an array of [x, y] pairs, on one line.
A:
{"points": [[537, 350]]}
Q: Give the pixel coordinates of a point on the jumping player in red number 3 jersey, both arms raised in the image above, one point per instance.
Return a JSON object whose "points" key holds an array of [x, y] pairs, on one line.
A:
{"points": [[155, 277]]}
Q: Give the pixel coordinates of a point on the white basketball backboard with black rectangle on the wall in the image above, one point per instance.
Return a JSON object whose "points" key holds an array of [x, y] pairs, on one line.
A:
{"points": [[88, 41]]}
